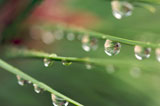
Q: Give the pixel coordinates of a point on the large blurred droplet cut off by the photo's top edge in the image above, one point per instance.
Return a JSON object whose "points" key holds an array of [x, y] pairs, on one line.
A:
{"points": [[121, 8]]}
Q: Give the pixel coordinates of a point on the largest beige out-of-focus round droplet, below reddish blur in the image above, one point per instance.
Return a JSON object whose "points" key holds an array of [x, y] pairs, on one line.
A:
{"points": [[47, 37]]}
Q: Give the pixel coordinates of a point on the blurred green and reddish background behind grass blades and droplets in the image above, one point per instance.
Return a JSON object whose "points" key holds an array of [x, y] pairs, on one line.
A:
{"points": [[95, 87]]}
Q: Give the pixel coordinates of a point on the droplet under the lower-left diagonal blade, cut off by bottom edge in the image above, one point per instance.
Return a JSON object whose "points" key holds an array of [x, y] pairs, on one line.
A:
{"points": [[58, 101]]}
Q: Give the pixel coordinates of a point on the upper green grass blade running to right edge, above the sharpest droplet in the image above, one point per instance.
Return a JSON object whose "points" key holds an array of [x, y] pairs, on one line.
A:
{"points": [[82, 32]]}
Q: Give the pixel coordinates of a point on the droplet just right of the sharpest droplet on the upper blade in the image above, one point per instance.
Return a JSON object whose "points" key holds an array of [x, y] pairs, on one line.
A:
{"points": [[142, 52]]}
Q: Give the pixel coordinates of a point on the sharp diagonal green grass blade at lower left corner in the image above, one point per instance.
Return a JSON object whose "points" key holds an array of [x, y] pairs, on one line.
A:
{"points": [[16, 71]]}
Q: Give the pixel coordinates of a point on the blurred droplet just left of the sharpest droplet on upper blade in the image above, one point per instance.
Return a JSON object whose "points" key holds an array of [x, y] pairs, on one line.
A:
{"points": [[89, 44]]}
